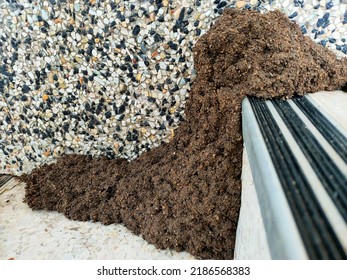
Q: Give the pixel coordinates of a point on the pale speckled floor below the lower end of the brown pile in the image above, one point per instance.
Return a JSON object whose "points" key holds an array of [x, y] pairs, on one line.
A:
{"points": [[27, 234]]}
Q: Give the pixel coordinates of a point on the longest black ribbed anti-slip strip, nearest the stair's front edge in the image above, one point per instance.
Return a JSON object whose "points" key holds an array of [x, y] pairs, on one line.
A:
{"points": [[317, 234]]}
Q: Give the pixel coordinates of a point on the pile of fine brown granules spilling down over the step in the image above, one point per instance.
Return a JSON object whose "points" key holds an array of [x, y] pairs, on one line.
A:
{"points": [[186, 194]]}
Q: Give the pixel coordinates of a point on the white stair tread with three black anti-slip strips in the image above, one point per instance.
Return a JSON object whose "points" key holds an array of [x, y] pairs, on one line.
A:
{"points": [[297, 152]]}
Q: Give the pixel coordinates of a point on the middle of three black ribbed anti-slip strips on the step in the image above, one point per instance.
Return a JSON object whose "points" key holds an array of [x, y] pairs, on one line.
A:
{"points": [[334, 182]]}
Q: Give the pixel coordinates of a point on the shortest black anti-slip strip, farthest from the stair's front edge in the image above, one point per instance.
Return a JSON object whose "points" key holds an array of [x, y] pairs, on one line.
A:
{"points": [[335, 138]]}
